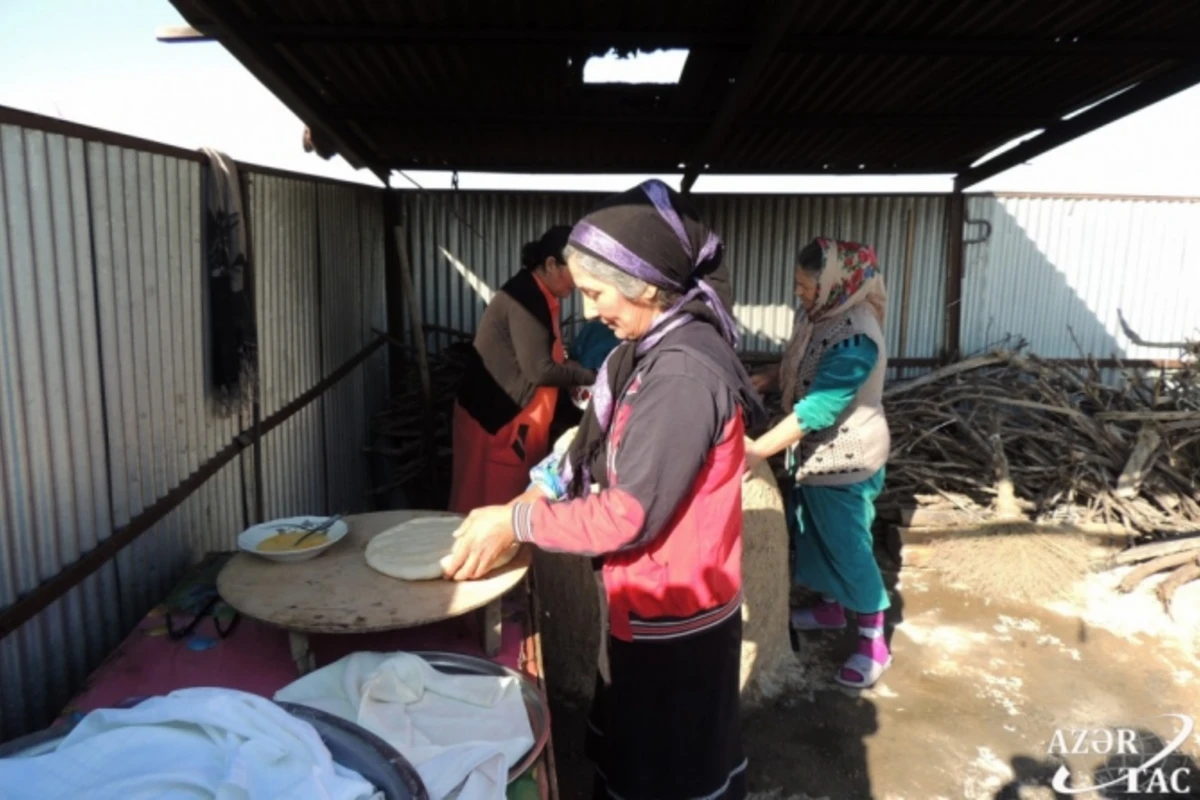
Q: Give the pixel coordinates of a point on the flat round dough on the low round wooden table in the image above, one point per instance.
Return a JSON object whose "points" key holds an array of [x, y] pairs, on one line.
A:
{"points": [[416, 550]]}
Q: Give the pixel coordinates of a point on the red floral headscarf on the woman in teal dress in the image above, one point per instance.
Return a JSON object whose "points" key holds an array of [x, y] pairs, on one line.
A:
{"points": [[850, 276]]}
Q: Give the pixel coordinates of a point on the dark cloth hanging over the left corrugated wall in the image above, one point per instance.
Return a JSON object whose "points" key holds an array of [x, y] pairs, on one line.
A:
{"points": [[233, 347]]}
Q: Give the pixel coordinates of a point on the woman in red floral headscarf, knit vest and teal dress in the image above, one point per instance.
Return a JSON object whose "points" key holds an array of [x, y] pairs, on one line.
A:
{"points": [[837, 442]]}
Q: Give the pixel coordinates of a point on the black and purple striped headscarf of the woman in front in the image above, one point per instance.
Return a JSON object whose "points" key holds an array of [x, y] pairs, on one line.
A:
{"points": [[652, 233]]}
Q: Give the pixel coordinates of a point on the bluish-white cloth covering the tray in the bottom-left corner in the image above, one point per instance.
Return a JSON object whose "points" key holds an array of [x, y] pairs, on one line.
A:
{"points": [[196, 743]]}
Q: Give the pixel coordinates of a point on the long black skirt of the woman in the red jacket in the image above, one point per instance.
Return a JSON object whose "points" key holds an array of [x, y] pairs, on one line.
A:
{"points": [[668, 727]]}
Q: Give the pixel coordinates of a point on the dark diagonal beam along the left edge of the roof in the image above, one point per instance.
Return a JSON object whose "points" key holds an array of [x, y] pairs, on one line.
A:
{"points": [[260, 57]]}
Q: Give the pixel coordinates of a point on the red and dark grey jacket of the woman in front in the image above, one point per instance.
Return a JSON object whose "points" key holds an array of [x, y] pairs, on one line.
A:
{"points": [[668, 524]]}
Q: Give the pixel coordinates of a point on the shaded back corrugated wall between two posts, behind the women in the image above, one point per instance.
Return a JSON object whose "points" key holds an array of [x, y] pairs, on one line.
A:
{"points": [[465, 245]]}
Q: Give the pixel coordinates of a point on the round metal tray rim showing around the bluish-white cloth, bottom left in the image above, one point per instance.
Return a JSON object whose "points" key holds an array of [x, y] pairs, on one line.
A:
{"points": [[351, 747]]}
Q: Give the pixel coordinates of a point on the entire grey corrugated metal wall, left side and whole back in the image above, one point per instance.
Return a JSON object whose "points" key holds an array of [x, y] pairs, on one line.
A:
{"points": [[103, 336]]}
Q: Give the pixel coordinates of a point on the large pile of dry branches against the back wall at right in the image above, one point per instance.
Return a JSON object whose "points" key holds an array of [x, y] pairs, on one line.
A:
{"points": [[1077, 449]]}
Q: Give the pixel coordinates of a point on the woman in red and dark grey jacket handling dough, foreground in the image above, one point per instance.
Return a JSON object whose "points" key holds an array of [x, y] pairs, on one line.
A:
{"points": [[652, 486]]}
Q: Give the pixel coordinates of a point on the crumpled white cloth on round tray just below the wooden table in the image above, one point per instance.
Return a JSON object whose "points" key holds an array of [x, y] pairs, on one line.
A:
{"points": [[460, 732]]}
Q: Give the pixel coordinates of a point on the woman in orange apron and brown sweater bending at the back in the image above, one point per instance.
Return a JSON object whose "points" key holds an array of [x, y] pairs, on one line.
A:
{"points": [[508, 396]]}
